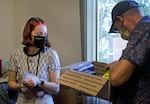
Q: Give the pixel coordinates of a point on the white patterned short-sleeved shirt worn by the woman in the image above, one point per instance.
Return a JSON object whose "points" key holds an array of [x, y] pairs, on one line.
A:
{"points": [[40, 64]]}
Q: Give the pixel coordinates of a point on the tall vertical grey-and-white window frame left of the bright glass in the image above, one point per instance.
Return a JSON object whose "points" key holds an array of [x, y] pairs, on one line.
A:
{"points": [[88, 29]]}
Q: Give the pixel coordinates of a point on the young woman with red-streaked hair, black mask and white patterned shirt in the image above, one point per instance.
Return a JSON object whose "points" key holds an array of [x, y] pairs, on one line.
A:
{"points": [[35, 68]]}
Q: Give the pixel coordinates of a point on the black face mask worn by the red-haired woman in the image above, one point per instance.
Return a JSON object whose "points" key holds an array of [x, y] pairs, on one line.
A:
{"points": [[40, 41]]}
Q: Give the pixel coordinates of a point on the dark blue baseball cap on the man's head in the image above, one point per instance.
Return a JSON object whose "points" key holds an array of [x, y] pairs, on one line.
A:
{"points": [[119, 9]]}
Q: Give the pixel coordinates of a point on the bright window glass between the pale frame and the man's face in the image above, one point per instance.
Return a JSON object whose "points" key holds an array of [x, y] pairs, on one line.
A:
{"points": [[109, 46]]}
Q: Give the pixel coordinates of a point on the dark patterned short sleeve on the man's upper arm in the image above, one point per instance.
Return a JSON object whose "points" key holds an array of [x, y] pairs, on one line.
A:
{"points": [[138, 44]]}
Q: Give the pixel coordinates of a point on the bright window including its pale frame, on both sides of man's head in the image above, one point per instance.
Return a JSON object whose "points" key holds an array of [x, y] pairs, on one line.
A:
{"points": [[99, 45]]}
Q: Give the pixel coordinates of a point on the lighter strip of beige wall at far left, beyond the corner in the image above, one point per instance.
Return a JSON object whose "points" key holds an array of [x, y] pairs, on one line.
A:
{"points": [[6, 29]]}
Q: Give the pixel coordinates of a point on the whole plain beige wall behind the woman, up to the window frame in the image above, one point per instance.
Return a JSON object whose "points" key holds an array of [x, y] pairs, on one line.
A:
{"points": [[62, 16]]}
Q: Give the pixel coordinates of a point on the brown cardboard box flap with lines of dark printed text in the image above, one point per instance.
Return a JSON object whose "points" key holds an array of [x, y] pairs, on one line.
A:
{"points": [[89, 84]]}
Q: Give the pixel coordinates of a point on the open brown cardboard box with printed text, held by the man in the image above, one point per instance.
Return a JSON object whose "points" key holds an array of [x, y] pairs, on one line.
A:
{"points": [[87, 84]]}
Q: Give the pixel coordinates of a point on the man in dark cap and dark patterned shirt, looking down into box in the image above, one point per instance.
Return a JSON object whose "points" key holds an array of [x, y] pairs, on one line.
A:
{"points": [[131, 73]]}
